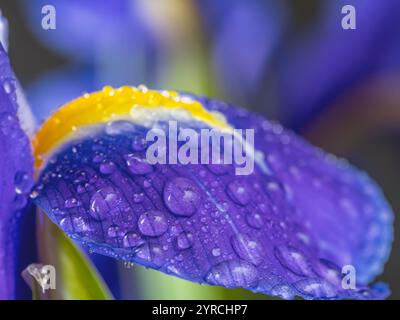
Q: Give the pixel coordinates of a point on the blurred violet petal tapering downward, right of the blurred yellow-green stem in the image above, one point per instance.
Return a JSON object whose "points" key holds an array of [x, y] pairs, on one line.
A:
{"points": [[245, 34]]}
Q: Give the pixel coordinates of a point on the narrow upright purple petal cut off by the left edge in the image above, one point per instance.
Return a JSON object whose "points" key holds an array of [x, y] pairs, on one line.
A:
{"points": [[16, 165]]}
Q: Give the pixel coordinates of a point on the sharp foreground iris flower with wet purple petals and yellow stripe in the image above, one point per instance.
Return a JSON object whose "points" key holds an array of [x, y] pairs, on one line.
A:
{"points": [[285, 230]]}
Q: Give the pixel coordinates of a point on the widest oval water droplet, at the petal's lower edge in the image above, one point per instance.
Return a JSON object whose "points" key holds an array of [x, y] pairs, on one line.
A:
{"points": [[233, 274]]}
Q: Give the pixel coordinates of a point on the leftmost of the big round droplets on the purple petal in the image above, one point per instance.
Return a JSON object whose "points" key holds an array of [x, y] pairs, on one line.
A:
{"points": [[102, 202]]}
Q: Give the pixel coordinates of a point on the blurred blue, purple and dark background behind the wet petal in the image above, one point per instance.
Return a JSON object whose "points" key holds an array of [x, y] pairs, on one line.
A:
{"points": [[288, 60]]}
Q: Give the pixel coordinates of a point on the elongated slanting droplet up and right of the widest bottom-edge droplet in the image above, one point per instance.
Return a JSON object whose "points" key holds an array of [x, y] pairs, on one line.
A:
{"points": [[293, 259]]}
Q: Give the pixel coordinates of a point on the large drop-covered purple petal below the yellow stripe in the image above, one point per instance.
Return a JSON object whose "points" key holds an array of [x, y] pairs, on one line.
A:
{"points": [[205, 224]]}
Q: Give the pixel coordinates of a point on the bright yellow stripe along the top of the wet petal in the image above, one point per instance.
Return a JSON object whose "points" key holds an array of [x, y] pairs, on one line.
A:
{"points": [[107, 105]]}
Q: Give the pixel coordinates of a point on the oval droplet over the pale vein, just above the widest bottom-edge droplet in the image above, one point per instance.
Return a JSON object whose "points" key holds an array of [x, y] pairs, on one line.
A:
{"points": [[248, 248]]}
